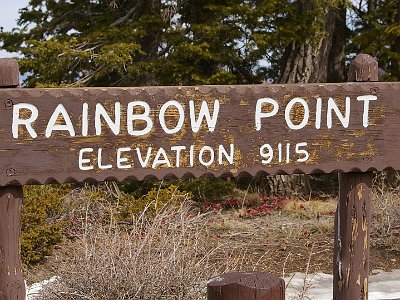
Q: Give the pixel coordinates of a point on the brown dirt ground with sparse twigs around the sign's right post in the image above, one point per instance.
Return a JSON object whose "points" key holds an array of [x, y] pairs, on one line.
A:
{"points": [[283, 244]]}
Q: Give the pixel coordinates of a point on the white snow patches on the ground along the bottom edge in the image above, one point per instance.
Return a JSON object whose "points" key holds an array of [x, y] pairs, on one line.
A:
{"points": [[382, 285]]}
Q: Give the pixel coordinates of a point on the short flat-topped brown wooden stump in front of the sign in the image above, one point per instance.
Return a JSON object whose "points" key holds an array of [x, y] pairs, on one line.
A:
{"points": [[246, 286]]}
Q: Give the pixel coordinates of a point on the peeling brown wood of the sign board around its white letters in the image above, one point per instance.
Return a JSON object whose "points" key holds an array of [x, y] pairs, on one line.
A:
{"points": [[27, 160]]}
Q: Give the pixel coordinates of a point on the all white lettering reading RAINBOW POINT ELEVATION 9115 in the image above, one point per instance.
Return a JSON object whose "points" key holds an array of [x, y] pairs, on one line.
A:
{"points": [[200, 116]]}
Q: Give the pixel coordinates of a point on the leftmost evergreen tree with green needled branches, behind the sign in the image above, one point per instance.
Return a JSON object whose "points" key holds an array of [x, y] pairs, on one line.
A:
{"points": [[88, 42]]}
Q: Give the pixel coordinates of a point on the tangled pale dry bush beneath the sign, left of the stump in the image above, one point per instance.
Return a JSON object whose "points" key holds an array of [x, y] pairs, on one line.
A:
{"points": [[165, 257]]}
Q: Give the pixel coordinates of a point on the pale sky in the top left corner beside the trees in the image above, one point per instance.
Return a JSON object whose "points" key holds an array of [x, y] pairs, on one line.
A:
{"points": [[8, 17]]}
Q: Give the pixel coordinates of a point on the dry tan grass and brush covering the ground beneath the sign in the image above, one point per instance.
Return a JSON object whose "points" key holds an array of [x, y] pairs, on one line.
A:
{"points": [[172, 255]]}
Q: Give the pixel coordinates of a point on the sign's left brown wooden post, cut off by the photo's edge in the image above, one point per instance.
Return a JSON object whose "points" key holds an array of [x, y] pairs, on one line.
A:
{"points": [[12, 284]]}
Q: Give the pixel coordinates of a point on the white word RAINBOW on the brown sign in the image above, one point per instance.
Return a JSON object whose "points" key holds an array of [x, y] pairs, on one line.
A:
{"points": [[101, 115]]}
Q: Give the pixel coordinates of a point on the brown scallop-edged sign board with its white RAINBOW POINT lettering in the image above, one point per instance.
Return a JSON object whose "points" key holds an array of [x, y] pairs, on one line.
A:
{"points": [[67, 135]]}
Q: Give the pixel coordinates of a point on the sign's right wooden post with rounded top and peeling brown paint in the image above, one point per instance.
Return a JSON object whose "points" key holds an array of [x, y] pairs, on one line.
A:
{"points": [[353, 215]]}
